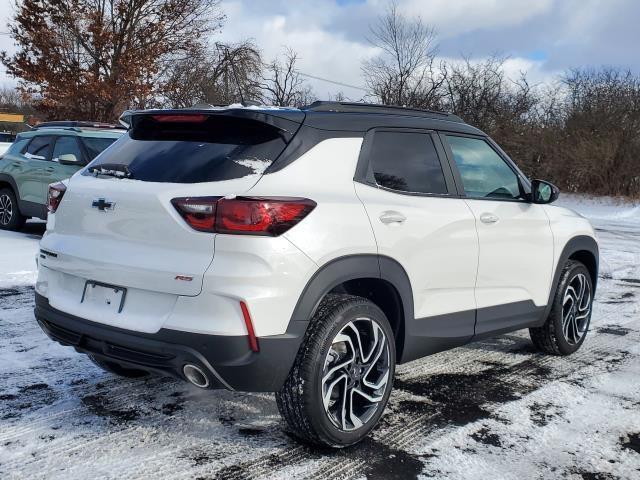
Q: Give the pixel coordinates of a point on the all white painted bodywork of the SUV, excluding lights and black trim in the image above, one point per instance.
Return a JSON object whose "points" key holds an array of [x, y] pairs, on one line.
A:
{"points": [[454, 261]]}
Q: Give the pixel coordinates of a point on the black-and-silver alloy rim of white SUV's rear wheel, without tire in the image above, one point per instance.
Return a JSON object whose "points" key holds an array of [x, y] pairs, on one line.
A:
{"points": [[355, 374]]}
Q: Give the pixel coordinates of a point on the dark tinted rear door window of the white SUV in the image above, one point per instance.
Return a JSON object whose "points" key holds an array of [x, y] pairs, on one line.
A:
{"points": [[407, 162]]}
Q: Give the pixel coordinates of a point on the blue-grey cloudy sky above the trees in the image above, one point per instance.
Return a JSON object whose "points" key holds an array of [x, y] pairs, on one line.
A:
{"points": [[541, 37]]}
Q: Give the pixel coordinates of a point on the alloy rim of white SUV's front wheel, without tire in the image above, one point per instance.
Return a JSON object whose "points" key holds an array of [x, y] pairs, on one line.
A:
{"points": [[576, 309]]}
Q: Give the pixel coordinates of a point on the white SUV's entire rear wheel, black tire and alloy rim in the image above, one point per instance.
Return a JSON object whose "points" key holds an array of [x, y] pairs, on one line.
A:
{"points": [[331, 341]]}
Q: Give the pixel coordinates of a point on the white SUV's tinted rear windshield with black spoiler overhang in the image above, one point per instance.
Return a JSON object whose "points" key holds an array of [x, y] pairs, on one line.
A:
{"points": [[214, 149]]}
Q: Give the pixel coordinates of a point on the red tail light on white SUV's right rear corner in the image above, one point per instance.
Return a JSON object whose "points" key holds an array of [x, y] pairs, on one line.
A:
{"points": [[267, 216]]}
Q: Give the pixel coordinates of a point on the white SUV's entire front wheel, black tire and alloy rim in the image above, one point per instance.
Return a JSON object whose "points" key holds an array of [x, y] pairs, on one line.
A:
{"points": [[566, 327]]}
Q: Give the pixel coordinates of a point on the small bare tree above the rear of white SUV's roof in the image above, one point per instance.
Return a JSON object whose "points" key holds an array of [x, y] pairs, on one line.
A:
{"points": [[281, 83]]}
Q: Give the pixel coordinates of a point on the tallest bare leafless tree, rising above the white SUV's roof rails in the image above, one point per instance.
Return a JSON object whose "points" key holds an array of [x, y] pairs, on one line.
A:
{"points": [[405, 72]]}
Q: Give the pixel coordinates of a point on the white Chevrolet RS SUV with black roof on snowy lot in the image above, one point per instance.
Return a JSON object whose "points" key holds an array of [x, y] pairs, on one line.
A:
{"points": [[307, 252]]}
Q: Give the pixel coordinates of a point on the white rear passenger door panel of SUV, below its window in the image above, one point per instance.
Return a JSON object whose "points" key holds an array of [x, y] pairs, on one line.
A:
{"points": [[436, 244]]}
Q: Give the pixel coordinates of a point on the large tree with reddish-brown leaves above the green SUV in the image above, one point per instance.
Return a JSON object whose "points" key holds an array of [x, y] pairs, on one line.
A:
{"points": [[90, 59]]}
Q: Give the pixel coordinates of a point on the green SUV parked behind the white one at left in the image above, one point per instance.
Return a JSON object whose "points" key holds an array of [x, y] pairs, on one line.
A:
{"points": [[51, 152]]}
